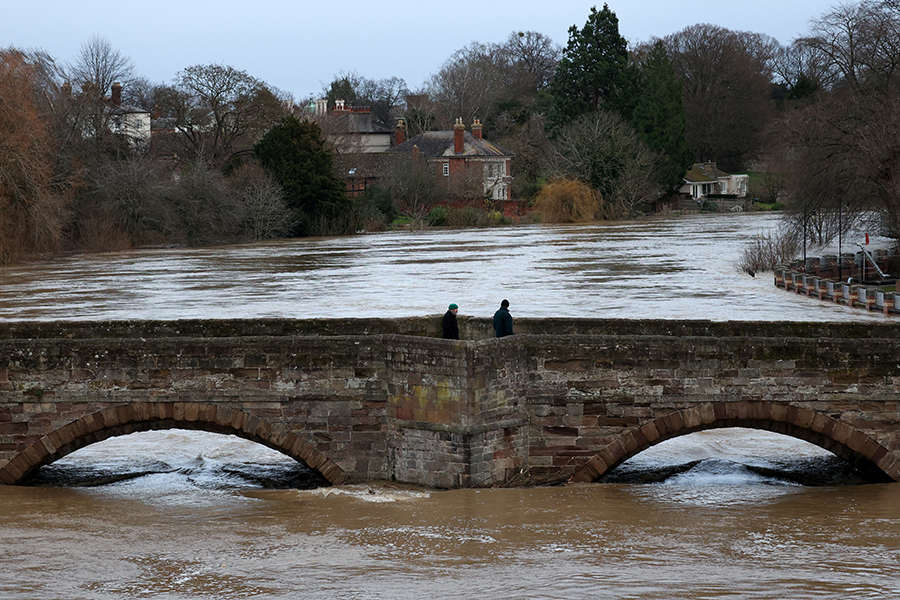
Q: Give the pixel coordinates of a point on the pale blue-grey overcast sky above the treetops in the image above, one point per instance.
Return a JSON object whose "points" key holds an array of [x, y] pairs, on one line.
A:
{"points": [[298, 46]]}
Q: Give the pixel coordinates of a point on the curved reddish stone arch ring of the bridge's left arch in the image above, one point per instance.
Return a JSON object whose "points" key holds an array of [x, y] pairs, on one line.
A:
{"points": [[132, 418]]}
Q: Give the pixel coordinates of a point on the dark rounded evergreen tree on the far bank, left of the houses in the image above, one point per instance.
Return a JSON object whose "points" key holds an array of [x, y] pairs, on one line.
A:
{"points": [[295, 153]]}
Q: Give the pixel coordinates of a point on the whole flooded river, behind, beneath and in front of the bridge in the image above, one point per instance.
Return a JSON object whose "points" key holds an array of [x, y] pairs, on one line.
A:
{"points": [[182, 515]]}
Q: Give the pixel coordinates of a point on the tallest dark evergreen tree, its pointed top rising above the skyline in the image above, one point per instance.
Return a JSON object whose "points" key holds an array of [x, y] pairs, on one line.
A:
{"points": [[590, 71]]}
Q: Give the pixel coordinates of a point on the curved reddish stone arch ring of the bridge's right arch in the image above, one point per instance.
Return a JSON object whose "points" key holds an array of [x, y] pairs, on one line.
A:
{"points": [[818, 428]]}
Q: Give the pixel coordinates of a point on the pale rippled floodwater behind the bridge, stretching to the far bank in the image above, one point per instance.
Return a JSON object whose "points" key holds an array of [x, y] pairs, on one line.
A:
{"points": [[675, 268]]}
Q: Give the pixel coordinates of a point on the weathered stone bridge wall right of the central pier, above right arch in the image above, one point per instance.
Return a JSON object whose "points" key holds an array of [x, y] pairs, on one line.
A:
{"points": [[590, 392]]}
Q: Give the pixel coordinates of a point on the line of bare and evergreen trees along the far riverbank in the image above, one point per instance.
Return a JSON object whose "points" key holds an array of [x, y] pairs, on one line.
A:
{"points": [[598, 129]]}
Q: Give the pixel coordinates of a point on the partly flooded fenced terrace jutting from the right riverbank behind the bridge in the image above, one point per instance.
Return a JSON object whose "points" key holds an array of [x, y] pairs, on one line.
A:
{"points": [[849, 279]]}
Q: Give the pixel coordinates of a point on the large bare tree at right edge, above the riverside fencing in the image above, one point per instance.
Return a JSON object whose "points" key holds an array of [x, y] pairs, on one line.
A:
{"points": [[842, 149]]}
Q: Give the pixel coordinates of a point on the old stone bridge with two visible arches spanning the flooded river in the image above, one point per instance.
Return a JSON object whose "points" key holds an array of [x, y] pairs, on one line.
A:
{"points": [[386, 399]]}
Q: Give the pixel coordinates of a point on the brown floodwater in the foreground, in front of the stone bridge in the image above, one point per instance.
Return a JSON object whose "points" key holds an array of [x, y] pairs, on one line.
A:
{"points": [[588, 541]]}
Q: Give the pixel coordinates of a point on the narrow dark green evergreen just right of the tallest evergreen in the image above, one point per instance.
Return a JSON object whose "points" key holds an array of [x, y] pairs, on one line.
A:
{"points": [[658, 114]]}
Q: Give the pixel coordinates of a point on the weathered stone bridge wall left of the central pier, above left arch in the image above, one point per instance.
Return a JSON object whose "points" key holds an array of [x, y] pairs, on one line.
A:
{"points": [[330, 389]]}
